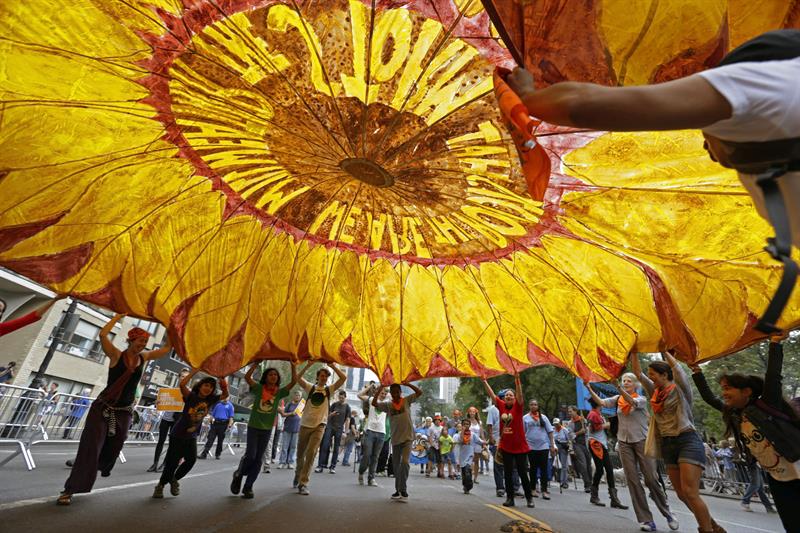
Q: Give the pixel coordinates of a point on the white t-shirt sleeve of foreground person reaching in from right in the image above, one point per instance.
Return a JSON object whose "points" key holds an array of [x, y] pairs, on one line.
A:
{"points": [[764, 97]]}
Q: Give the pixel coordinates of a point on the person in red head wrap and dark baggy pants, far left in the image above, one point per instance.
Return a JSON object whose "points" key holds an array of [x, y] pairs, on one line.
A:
{"points": [[110, 415]]}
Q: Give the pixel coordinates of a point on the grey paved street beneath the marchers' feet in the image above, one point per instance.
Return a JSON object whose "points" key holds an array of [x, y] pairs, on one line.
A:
{"points": [[122, 503]]}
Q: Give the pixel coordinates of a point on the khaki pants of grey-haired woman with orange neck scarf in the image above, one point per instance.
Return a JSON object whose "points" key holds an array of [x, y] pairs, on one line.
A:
{"points": [[631, 453]]}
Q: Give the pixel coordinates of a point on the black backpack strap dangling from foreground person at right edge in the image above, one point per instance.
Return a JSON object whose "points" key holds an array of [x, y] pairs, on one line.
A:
{"points": [[779, 247]]}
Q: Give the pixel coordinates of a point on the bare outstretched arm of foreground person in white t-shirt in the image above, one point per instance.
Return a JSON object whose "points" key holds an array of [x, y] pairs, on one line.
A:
{"points": [[686, 103]]}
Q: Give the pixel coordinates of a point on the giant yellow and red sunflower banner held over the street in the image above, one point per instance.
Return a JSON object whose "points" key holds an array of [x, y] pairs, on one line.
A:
{"points": [[330, 179]]}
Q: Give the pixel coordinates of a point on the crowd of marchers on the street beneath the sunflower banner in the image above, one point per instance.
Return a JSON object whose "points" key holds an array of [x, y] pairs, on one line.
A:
{"points": [[521, 443]]}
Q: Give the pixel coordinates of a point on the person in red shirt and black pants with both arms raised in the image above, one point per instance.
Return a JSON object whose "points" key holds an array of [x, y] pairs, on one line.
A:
{"points": [[513, 444]]}
